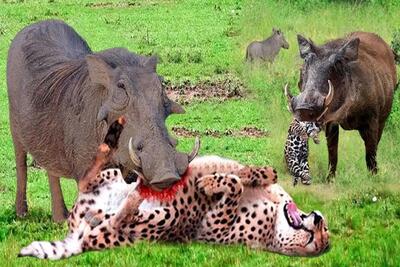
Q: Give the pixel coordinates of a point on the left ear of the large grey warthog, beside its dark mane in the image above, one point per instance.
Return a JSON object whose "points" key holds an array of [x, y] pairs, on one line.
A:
{"points": [[99, 71]]}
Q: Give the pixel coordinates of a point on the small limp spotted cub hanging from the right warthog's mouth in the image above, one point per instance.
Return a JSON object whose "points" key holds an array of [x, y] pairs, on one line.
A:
{"points": [[296, 149]]}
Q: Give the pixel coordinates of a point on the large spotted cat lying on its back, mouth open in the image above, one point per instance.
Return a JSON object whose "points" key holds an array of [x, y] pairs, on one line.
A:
{"points": [[219, 201]]}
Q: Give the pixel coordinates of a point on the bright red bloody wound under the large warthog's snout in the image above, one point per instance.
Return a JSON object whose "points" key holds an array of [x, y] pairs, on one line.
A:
{"points": [[166, 194]]}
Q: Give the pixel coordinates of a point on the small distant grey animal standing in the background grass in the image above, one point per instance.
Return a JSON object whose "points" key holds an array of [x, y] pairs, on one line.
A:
{"points": [[267, 49]]}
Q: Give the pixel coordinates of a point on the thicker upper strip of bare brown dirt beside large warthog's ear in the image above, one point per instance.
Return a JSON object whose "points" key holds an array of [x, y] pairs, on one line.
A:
{"points": [[223, 89]]}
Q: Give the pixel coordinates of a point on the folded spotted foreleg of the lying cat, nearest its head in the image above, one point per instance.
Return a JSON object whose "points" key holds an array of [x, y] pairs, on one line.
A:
{"points": [[257, 176]]}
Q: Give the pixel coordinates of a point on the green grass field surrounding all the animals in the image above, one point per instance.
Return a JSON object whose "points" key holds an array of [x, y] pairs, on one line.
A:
{"points": [[199, 40]]}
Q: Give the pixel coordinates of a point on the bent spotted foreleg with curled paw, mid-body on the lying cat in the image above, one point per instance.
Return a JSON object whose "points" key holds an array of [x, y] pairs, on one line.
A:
{"points": [[222, 214]]}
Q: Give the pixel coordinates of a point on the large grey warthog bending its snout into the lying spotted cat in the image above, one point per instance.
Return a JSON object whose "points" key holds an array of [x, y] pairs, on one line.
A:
{"points": [[63, 97]]}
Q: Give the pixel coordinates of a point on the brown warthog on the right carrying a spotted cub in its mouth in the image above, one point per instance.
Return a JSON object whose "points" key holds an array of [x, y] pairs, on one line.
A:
{"points": [[348, 82]]}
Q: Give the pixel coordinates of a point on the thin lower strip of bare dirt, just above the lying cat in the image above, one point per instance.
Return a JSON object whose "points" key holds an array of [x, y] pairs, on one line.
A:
{"points": [[247, 131]]}
